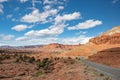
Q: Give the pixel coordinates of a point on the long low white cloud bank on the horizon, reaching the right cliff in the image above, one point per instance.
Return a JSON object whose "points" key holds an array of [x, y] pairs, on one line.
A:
{"points": [[47, 40]]}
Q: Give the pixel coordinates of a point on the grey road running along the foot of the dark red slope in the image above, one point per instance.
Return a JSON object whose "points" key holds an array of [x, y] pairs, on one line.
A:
{"points": [[110, 71]]}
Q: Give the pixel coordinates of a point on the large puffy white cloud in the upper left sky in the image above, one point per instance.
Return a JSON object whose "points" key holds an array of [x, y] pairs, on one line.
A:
{"points": [[36, 16]]}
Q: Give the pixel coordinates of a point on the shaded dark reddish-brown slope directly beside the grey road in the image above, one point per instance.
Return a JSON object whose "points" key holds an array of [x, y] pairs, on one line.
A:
{"points": [[110, 57]]}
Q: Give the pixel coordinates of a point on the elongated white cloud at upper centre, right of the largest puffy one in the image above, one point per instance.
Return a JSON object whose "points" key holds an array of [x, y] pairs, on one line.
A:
{"points": [[68, 17]]}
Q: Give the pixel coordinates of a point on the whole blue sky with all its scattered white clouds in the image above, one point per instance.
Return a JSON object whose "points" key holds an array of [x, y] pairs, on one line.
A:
{"points": [[34, 22]]}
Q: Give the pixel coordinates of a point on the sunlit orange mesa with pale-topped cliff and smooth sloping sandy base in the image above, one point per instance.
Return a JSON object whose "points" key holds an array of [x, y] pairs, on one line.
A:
{"points": [[109, 39]]}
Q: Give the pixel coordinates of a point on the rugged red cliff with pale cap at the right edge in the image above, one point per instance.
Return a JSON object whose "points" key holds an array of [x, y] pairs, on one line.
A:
{"points": [[110, 37]]}
